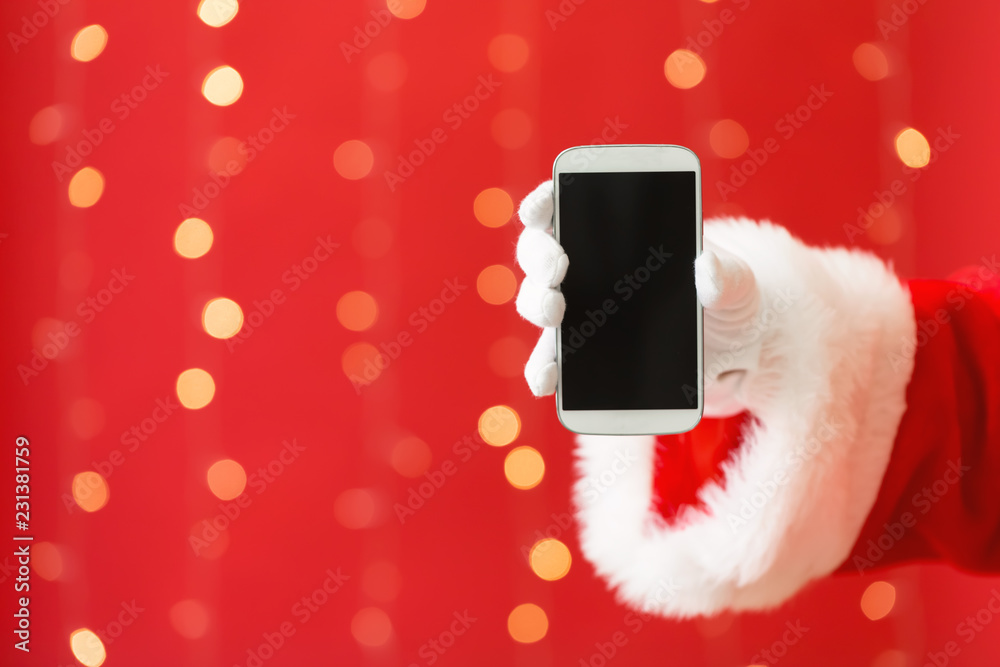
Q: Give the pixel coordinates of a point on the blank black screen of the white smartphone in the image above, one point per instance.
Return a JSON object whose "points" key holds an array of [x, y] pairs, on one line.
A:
{"points": [[629, 336]]}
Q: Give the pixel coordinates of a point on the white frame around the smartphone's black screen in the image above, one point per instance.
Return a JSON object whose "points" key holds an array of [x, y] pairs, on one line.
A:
{"points": [[630, 158]]}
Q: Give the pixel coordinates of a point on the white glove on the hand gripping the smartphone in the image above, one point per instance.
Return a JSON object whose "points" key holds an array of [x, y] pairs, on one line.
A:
{"points": [[726, 288]]}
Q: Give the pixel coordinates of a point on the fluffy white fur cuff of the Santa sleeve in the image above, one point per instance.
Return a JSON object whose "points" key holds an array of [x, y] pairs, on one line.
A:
{"points": [[826, 403]]}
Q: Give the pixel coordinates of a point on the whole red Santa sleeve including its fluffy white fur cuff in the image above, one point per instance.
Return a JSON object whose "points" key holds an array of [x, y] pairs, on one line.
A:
{"points": [[875, 411]]}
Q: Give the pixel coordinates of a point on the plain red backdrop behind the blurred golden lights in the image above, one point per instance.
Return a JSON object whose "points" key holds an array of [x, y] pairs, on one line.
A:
{"points": [[462, 551]]}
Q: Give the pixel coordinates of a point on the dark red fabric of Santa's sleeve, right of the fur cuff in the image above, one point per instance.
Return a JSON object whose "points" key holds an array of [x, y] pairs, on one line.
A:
{"points": [[940, 497]]}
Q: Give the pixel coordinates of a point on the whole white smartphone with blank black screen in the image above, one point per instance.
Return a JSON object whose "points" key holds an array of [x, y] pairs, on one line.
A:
{"points": [[629, 350]]}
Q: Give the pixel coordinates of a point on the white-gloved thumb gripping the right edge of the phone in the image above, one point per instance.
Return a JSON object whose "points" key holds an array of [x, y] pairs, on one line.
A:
{"points": [[725, 283]]}
